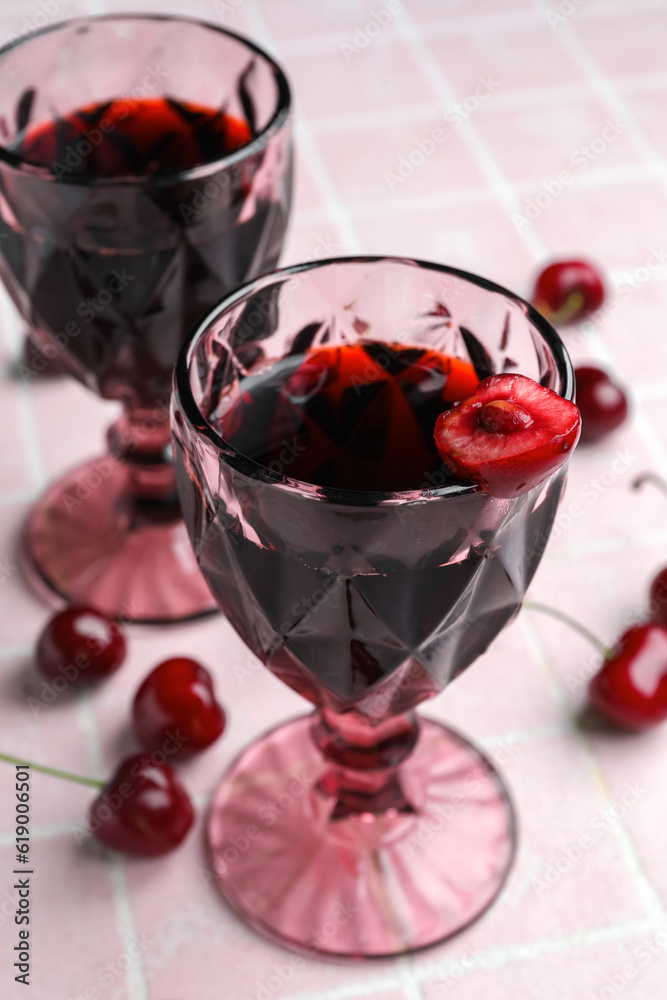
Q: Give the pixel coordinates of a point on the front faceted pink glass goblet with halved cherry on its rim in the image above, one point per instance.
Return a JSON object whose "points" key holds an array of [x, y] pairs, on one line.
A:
{"points": [[360, 830]]}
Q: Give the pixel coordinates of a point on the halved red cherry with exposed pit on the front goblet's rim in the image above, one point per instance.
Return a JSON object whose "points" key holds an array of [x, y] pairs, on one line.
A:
{"points": [[509, 435]]}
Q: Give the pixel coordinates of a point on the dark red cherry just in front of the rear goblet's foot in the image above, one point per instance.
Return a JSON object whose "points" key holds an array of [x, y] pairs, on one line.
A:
{"points": [[83, 638]]}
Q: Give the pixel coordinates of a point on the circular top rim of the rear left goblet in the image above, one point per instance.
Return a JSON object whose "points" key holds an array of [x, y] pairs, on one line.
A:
{"points": [[160, 178]]}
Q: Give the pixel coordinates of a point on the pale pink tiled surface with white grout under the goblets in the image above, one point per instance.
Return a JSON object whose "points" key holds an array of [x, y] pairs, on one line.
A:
{"points": [[554, 74]]}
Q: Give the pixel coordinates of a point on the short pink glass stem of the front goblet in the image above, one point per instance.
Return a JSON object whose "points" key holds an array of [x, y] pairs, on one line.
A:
{"points": [[364, 760]]}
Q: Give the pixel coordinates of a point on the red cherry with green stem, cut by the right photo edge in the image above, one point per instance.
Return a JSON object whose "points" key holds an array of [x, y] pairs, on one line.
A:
{"points": [[631, 688]]}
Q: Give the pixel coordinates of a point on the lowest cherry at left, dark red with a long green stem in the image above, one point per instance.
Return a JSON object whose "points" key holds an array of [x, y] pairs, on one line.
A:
{"points": [[142, 810]]}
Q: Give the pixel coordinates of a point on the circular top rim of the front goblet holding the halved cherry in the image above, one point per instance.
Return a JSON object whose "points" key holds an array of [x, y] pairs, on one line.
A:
{"points": [[254, 470]]}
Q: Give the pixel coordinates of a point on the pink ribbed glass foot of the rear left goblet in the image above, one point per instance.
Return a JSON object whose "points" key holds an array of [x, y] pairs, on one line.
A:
{"points": [[86, 543]]}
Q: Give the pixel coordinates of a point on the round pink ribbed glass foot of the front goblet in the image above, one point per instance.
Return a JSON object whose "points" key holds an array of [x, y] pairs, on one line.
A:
{"points": [[364, 885]]}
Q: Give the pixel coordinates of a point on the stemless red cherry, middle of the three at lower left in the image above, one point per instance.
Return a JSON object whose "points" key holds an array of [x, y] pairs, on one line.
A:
{"points": [[177, 701]]}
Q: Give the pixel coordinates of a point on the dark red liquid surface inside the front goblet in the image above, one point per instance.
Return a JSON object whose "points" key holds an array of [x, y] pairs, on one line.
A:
{"points": [[353, 417]]}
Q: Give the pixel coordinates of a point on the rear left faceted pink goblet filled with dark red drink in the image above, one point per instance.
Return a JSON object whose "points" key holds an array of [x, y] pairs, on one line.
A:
{"points": [[111, 268]]}
